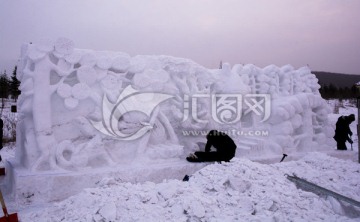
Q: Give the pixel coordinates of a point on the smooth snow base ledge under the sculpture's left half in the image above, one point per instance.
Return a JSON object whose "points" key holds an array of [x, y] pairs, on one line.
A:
{"points": [[59, 185]]}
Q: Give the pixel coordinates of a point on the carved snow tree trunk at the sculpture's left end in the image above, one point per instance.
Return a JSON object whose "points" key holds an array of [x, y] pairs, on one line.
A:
{"points": [[43, 90]]}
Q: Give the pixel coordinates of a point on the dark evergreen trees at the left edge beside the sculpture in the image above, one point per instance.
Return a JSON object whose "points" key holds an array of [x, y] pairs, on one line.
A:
{"points": [[9, 87]]}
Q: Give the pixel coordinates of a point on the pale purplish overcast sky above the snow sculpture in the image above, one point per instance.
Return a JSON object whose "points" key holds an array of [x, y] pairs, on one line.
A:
{"points": [[324, 34]]}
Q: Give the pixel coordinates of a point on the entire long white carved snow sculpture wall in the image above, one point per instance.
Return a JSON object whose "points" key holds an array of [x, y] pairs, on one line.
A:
{"points": [[81, 108]]}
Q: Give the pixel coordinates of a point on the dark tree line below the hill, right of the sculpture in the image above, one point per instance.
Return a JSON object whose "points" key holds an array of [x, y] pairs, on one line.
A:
{"points": [[333, 92]]}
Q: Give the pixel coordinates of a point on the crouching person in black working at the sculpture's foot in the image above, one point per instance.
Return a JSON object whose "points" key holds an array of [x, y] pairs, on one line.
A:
{"points": [[224, 145]]}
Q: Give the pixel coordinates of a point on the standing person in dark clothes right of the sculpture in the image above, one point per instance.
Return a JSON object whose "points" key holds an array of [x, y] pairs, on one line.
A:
{"points": [[343, 132]]}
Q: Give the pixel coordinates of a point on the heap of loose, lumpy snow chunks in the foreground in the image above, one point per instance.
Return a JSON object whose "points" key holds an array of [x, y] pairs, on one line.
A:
{"points": [[241, 190]]}
